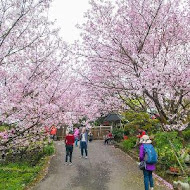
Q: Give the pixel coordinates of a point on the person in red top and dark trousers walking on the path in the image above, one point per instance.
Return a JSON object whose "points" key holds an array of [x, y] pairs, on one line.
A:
{"points": [[69, 141]]}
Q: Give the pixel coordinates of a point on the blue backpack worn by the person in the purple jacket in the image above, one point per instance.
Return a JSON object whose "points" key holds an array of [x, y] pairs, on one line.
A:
{"points": [[151, 156]]}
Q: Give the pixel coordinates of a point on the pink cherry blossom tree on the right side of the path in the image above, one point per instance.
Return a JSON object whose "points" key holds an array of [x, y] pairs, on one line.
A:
{"points": [[140, 49]]}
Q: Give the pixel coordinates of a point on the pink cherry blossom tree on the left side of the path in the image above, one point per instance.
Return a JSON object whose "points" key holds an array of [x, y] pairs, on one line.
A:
{"points": [[36, 84]]}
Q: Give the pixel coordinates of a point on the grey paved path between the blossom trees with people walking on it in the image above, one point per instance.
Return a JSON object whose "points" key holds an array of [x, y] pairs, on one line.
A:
{"points": [[106, 168]]}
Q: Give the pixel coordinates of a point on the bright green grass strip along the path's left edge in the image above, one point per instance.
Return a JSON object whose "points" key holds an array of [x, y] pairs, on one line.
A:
{"points": [[17, 176]]}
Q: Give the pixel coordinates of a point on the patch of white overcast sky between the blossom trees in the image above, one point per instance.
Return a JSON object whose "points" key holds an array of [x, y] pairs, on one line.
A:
{"points": [[68, 13]]}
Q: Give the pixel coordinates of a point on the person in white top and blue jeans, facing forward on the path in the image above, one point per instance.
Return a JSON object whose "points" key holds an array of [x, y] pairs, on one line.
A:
{"points": [[84, 142]]}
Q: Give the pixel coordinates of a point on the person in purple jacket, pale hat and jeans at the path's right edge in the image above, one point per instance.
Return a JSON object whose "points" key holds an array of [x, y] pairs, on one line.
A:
{"points": [[145, 143]]}
